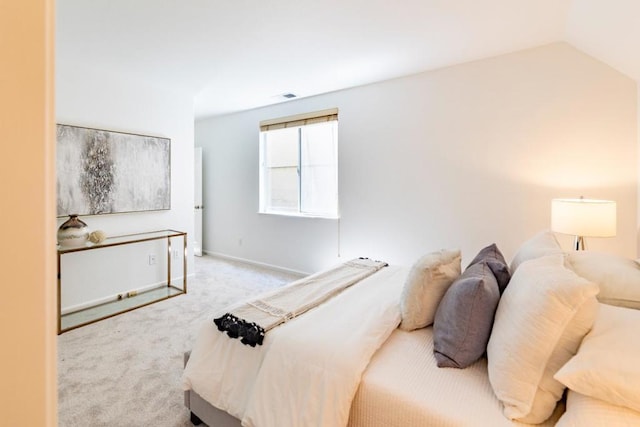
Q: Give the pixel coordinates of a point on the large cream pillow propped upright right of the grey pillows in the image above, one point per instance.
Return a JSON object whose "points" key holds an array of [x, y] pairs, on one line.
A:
{"points": [[542, 316]]}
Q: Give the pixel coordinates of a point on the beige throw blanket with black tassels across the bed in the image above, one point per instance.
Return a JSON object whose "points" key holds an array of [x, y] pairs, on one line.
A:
{"points": [[250, 321]]}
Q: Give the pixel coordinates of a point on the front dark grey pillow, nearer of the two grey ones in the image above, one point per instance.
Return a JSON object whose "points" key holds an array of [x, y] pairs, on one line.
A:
{"points": [[464, 318]]}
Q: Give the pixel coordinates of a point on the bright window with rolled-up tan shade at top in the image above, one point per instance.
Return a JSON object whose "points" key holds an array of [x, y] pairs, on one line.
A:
{"points": [[299, 165]]}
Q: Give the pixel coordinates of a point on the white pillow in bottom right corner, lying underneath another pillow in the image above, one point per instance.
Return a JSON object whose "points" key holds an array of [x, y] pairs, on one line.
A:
{"points": [[585, 411]]}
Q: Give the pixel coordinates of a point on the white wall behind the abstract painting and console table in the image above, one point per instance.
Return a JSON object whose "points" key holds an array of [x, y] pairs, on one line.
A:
{"points": [[95, 99]]}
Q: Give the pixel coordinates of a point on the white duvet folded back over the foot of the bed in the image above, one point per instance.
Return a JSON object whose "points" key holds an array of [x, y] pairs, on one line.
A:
{"points": [[308, 370]]}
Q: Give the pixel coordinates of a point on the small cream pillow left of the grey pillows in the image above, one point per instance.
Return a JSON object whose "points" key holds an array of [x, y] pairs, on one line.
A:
{"points": [[426, 284]]}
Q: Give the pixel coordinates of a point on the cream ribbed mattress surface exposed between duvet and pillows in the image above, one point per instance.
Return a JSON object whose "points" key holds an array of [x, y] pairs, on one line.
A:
{"points": [[403, 386]]}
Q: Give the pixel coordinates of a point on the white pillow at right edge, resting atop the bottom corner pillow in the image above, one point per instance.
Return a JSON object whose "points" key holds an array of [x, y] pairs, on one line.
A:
{"points": [[607, 366]]}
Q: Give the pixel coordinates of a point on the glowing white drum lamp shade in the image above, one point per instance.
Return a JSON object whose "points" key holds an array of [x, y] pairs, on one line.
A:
{"points": [[584, 217]]}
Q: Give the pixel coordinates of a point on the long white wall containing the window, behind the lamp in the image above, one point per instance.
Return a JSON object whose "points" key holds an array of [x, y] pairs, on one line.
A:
{"points": [[459, 157]]}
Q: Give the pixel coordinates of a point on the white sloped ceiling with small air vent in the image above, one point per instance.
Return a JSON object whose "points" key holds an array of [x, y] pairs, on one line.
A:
{"points": [[233, 55]]}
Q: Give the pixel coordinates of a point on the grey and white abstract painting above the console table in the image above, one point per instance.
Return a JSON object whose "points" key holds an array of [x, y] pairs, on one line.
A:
{"points": [[101, 172]]}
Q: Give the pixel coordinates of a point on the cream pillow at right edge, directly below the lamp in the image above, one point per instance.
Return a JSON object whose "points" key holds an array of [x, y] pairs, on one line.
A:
{"points": [[618, 277]]}
